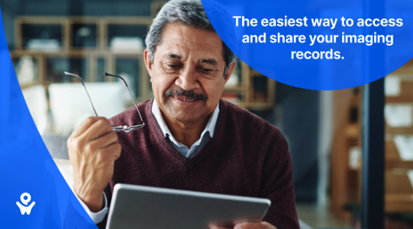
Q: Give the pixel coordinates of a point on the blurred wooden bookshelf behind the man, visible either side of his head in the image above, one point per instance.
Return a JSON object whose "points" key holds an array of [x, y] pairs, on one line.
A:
{"points": [[88, 46]]}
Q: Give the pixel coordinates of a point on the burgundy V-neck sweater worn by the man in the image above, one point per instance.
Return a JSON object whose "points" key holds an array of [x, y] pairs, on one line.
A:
{"points": [[247, 156]]}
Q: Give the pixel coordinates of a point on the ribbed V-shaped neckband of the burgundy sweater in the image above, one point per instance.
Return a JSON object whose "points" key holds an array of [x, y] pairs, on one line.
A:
{"points": [[167, 147]]}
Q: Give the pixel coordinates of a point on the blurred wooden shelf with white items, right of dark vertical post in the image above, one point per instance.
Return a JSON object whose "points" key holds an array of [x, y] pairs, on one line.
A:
{"points": [[399, 142]]}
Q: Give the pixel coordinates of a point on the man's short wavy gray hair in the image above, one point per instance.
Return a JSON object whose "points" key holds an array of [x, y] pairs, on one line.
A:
{"points": [[187, 12]]}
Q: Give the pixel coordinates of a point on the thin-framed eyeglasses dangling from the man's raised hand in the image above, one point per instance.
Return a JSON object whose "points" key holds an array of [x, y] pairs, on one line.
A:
{"points": [[125, 128]]}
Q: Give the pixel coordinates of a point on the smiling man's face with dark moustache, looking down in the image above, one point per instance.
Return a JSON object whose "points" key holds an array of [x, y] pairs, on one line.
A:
{"points": [[187, 73]]}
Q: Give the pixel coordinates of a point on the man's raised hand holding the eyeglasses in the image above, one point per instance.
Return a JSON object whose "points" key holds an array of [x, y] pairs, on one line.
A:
{"points": [[93, 148]]}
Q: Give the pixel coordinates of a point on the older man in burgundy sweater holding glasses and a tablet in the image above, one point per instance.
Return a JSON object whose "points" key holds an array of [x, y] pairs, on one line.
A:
{"points": [[192, 140]]}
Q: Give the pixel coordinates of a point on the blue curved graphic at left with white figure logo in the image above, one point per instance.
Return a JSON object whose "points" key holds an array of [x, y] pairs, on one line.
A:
{"points": [[29, 177]]}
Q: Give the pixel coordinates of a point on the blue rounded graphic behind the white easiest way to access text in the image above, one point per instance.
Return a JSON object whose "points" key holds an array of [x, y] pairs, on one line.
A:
{"points": [[331, 66]]}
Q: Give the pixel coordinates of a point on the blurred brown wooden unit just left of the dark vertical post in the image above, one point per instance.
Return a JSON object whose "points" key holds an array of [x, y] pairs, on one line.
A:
{"points": [[346, 152]]}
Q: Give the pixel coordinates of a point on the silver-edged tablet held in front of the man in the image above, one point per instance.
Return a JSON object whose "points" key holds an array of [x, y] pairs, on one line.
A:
{"points": [[135, 206]]}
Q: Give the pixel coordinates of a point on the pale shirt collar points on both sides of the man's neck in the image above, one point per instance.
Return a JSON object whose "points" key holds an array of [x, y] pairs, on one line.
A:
{"points": [[209, 128]]}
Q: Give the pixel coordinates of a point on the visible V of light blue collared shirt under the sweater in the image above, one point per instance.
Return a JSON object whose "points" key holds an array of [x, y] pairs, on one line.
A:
{"points": [[206, 135]]}
